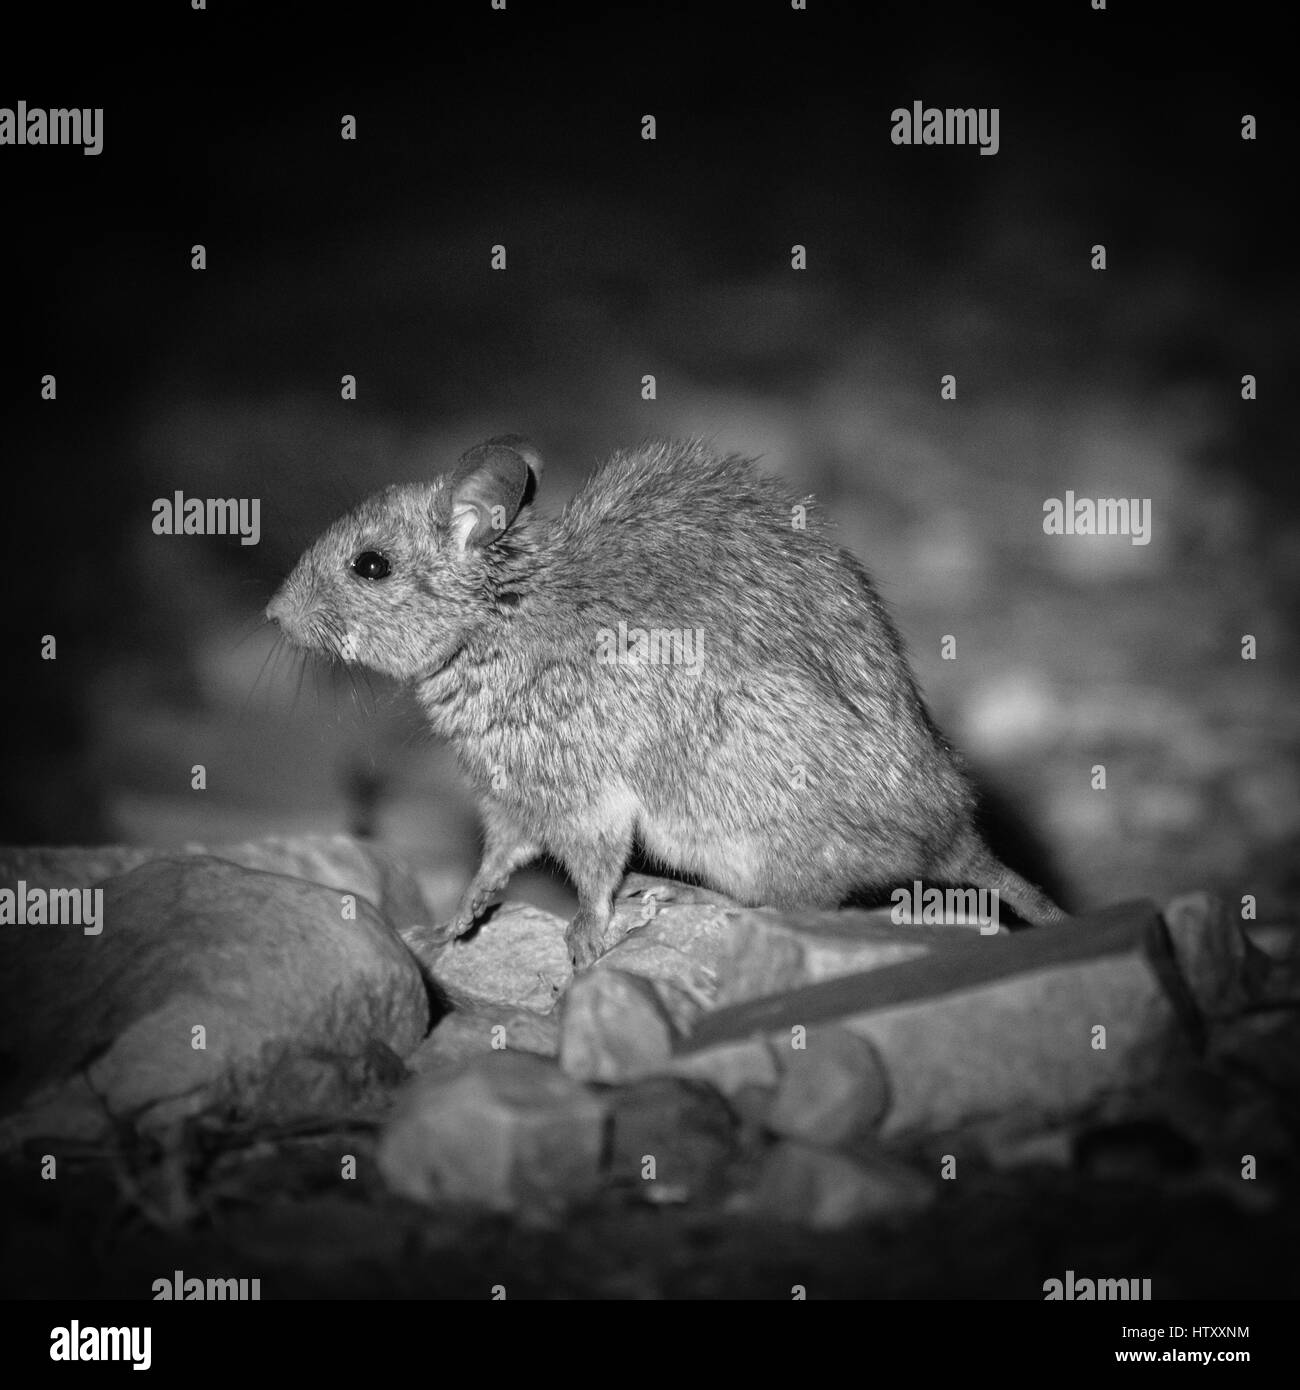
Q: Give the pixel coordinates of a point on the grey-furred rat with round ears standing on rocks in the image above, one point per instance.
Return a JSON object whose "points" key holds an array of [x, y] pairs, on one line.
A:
{"points": [[683, 657]]}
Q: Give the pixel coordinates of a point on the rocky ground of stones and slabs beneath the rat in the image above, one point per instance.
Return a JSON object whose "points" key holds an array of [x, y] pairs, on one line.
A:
{"points": [[731, 1104]]}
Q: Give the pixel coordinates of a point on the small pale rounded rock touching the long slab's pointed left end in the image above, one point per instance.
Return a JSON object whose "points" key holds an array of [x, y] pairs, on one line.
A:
{"points": [[614, 1028]]}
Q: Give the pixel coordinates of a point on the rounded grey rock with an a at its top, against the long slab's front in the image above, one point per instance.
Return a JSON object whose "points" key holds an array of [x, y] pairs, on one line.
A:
{"points": [[832, 1090]]}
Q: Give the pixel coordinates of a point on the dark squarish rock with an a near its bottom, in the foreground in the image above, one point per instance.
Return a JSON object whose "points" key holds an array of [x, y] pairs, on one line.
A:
{"points": [[671, 1139]]}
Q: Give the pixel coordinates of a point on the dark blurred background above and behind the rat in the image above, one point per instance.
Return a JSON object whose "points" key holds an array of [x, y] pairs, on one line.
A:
{"points": [[667, 258]]}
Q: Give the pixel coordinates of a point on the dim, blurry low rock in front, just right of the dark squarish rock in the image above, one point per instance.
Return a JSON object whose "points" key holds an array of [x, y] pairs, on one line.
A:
{"points": [[825, 1191]]}
